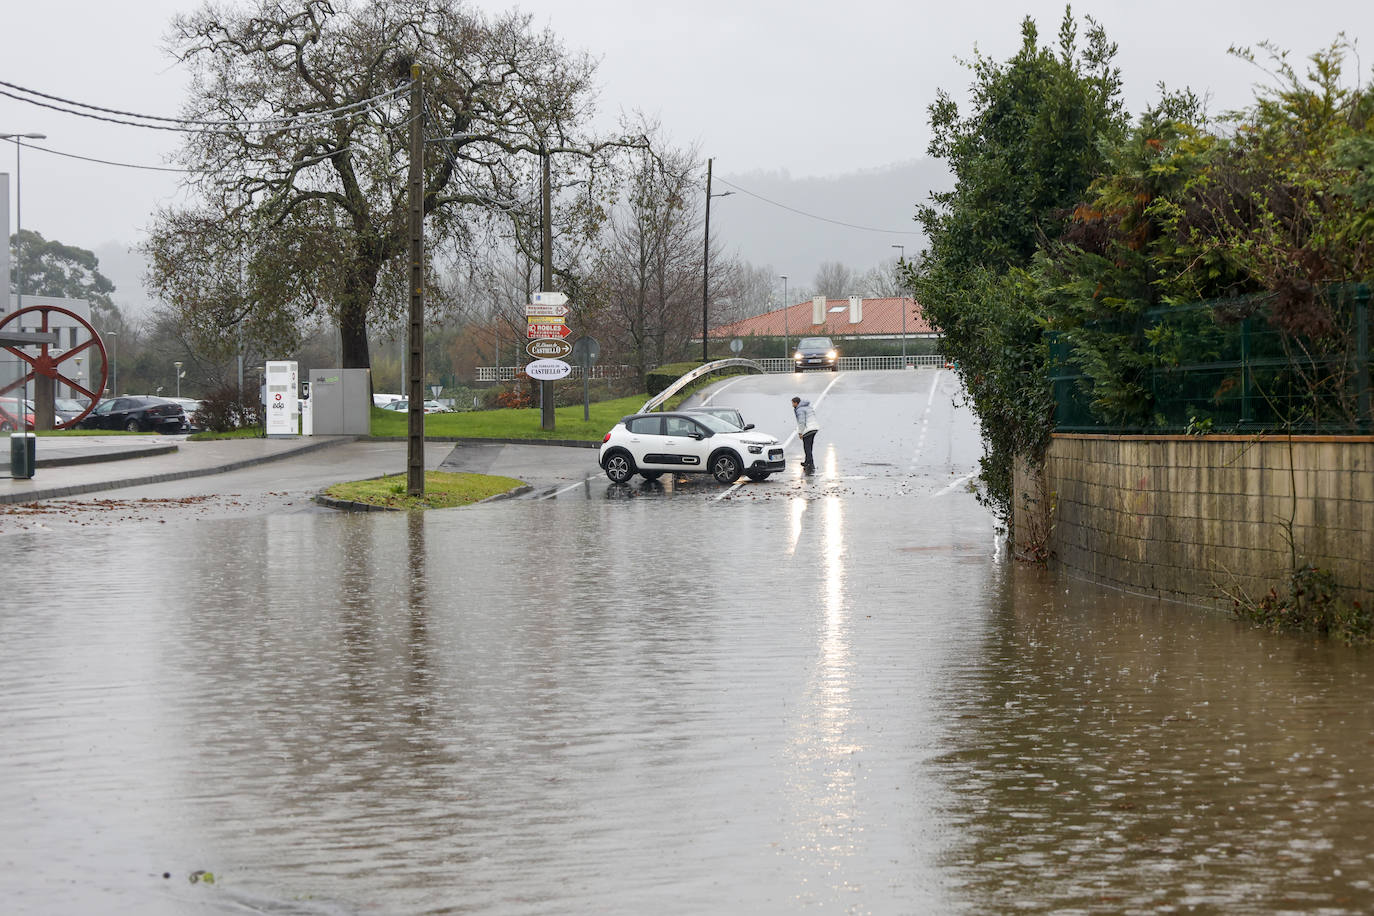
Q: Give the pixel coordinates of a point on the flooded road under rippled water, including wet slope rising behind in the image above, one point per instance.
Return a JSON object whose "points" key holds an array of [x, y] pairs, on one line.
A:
{"points": [[826, 693]]}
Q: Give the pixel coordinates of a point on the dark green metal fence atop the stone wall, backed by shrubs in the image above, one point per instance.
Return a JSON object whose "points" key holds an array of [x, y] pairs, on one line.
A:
{"points": [[1224, 367]]}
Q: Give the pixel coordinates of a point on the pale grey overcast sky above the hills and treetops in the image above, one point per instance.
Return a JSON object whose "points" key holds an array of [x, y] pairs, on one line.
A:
{"points": [[809, 90]]}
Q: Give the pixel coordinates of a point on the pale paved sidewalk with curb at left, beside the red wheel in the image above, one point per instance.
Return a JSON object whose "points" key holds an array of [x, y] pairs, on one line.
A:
{"points": [[72, 466]]}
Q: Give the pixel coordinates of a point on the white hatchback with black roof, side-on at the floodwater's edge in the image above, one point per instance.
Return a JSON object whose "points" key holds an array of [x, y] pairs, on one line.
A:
{"points": [[656, 444]]}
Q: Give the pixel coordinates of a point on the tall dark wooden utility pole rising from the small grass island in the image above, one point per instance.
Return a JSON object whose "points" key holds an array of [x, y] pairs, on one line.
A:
{"points": [[416, 343]]}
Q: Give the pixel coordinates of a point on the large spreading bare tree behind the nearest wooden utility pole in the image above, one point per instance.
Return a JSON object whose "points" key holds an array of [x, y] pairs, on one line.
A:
{"points": [[302, 161]]}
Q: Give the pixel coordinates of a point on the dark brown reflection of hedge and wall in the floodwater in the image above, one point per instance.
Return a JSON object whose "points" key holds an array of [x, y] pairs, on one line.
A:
{"points": [[1133, 757]]}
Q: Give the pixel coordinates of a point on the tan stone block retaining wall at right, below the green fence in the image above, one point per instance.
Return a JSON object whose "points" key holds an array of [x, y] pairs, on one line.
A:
{"points": [[1197, 518]]}
